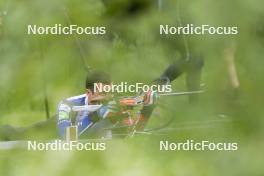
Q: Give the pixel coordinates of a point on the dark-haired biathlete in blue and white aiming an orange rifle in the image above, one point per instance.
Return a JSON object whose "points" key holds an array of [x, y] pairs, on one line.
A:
{"points": [[111, 112]]}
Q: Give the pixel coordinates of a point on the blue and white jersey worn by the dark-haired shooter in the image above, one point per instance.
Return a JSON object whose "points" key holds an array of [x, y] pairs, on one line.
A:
{"points": [[66, 117]]}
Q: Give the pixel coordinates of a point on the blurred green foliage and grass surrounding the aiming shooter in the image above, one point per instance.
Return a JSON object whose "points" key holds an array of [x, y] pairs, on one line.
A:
{"points": [[39, 70]]}
